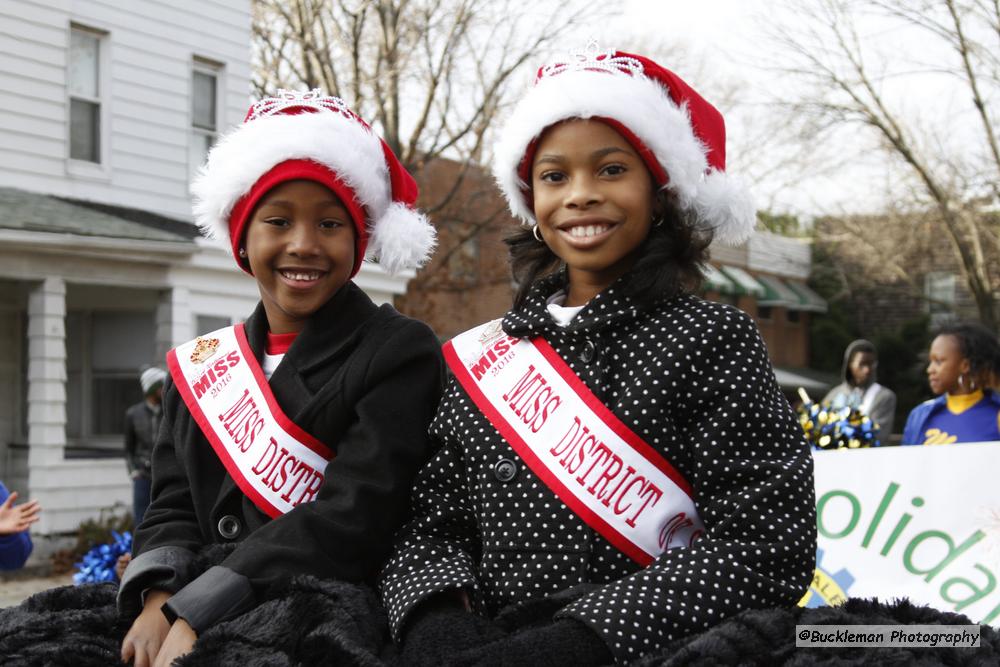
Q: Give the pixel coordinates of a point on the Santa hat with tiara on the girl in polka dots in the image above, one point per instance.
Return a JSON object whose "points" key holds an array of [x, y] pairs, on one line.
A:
{"points": [[680, 136]]}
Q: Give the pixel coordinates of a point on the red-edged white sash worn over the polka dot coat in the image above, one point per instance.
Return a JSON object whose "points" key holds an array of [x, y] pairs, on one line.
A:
{"points": [[596, 464]]}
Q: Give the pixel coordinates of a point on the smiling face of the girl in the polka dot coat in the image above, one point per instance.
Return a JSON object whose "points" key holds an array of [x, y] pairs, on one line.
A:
{"points": [[593, 200]]}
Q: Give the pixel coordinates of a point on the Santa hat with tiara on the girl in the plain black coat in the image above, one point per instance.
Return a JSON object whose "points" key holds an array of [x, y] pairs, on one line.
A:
{"points": [[311, 136]]}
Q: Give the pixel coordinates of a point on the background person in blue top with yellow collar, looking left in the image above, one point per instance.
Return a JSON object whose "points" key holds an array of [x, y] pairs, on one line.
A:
{"points": [[964, 364]]}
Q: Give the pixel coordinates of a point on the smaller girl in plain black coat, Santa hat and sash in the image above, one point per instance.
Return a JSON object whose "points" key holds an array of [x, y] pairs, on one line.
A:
{"points": [[291, 439]]}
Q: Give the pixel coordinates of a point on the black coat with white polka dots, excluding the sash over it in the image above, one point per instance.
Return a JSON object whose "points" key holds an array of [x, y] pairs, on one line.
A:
{"points": [[693, 379]]}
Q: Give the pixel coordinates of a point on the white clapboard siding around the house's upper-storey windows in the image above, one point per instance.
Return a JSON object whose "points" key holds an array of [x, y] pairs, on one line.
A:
{"points": [[146, 104]]}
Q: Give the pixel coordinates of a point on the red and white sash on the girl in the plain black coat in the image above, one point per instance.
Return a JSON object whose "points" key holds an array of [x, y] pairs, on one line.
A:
{"points": [[273, 461]]}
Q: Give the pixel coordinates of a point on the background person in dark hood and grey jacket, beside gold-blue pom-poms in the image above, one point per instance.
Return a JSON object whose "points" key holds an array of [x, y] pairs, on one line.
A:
{"points": [[861, 390]]}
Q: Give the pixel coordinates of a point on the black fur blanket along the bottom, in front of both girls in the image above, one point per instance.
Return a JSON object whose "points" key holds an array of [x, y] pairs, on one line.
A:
{"points": [[331, 623]]}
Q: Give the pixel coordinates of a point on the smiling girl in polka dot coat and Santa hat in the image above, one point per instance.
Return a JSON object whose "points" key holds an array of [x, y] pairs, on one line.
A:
{"points": [[617, 168]]}
